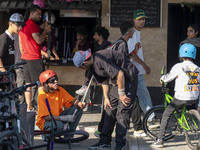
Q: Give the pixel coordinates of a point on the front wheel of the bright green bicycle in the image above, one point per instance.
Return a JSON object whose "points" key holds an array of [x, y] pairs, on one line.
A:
{"points": [[152, 126]]}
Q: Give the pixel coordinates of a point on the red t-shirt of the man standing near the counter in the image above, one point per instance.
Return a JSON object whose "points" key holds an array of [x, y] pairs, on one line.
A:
{"points": [[31, 50]]}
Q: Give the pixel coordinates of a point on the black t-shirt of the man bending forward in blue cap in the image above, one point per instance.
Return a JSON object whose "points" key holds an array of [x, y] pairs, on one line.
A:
{"points": [[107, 64]]}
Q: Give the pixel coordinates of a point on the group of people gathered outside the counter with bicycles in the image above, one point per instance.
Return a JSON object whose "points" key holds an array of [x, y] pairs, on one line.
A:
{"points": [[118, 67]]}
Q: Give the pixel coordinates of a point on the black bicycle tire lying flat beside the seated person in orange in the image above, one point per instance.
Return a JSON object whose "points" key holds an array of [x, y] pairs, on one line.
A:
{"points": [[73, 137]]}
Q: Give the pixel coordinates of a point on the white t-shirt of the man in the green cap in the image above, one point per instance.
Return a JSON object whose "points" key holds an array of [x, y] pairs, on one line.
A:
{"points": [[131, 46]]}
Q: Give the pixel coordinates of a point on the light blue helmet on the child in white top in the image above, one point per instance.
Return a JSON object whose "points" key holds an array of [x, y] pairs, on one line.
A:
{"points": [[187, 50]]}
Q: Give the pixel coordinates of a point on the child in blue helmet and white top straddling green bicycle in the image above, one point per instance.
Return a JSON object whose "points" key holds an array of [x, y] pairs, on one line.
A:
{"points": [[187, 76]]}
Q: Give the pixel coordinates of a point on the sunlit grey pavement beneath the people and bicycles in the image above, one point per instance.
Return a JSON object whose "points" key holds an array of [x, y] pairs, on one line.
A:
{"points": [[89, 122]]}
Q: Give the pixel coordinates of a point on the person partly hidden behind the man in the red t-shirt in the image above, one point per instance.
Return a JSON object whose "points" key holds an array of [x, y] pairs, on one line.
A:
{"points": [[44, 45]]}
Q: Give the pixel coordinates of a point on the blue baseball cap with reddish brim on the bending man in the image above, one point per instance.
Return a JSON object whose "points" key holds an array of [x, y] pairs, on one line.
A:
{"points": [[80, 57]]}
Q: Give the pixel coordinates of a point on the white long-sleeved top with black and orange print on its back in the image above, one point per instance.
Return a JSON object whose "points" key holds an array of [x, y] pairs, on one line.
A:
{"points": [[187, 76]]}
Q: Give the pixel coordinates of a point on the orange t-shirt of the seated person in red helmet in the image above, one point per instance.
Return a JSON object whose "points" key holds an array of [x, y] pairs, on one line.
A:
{"points": [[56, 102]]}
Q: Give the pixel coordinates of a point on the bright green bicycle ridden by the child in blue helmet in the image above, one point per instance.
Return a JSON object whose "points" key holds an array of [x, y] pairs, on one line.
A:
{"points": [[180, 120]]}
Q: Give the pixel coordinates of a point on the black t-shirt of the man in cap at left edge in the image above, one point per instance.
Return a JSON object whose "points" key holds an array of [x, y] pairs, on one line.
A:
{"points": [[6, 49]]}
